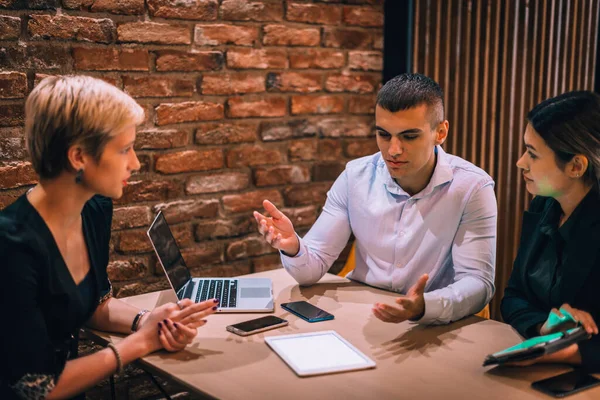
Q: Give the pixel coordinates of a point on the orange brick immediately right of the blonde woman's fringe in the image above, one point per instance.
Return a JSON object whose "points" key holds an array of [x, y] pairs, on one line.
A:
{"points": [[174, 113]]}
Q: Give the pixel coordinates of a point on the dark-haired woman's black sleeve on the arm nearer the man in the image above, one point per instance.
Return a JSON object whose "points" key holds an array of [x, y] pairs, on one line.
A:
{"points": [[517, 308]]}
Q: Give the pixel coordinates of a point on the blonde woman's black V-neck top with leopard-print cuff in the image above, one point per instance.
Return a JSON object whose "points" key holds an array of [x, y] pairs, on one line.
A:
{"points": [[40, 300]]}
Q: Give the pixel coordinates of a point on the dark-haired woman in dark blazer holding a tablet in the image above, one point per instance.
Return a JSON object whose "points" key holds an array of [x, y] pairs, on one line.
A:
{"points": [[558, 262]]}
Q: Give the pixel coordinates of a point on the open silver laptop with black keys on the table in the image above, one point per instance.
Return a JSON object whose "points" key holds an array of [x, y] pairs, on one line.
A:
{"points": [[234, 294]]}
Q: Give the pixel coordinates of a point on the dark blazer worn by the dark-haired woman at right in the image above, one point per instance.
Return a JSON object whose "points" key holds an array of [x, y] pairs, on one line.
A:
{"points": [[580, 283]]}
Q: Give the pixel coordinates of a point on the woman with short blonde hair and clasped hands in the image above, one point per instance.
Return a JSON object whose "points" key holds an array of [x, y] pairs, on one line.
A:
{"points": [[54, 244]]}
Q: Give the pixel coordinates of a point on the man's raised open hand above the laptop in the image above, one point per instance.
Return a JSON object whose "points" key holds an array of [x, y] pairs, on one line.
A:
{"points": [[277, 230]]}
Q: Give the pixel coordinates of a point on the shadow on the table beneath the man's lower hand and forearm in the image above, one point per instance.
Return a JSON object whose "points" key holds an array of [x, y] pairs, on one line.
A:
{"points": [[419, 340]]}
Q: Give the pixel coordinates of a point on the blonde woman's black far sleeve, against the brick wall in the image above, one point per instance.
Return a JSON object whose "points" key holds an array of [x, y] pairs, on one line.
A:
{"points": [[102, 209]]}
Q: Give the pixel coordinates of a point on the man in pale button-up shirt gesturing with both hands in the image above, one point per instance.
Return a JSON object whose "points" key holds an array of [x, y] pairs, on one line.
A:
{"points": [[424, 220]]}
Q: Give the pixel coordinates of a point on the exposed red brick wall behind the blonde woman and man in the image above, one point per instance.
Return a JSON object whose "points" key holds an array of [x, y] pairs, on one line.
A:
{"points": [[244, 99]]}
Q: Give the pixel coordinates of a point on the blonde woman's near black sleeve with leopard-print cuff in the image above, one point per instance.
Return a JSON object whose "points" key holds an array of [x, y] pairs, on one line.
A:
{"points": [[30, 363]]}
